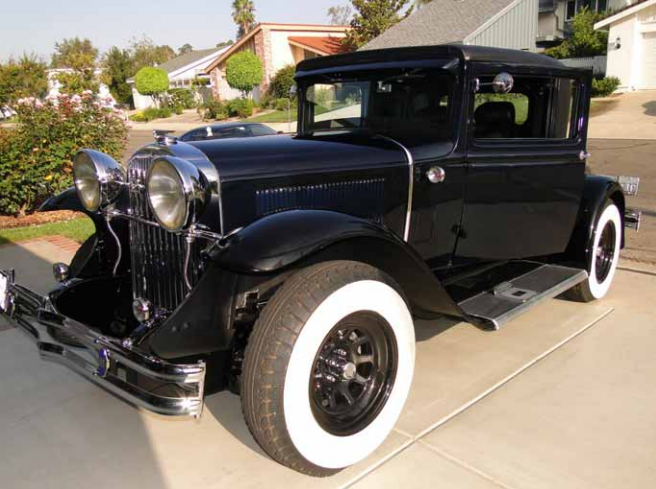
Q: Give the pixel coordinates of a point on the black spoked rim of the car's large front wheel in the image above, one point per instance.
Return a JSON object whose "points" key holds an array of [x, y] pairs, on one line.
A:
{"points": [[353, 373]]}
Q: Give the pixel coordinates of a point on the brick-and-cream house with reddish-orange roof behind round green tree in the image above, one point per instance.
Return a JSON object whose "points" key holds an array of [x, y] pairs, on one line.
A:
{"points": [[277, 46]]}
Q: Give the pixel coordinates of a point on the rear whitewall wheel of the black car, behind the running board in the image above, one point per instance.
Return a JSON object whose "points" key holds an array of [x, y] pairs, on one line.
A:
{"points": [[604, 256]]}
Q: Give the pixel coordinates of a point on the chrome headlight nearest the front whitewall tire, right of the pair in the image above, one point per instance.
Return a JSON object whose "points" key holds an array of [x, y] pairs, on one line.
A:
{"points": [[177, 192]]}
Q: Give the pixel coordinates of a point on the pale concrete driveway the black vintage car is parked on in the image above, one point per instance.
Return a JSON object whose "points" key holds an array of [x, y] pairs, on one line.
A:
{"points": [[562, 397]]}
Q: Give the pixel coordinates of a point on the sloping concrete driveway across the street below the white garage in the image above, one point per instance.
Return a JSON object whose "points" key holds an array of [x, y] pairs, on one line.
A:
{"points": [[631, 116]]}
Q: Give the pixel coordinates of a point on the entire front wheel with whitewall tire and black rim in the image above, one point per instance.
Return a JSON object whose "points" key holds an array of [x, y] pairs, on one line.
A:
{"points": [[328, 367]]}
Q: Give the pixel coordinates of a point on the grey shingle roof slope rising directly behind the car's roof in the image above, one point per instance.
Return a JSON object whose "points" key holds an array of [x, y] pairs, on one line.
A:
{"points": [[439, 22]]}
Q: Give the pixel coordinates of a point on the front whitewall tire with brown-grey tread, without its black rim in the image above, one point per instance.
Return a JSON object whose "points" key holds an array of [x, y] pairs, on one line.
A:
{"points": [[282, 354]]}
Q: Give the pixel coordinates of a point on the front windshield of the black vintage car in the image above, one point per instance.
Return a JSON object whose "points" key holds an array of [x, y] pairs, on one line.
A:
{"points": [[410, 103]]}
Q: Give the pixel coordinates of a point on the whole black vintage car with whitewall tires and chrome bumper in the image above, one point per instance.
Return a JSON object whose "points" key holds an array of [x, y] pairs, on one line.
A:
{"points": [[445, 180]]}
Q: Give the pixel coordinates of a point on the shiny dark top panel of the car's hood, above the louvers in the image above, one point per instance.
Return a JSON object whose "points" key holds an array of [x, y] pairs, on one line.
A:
{"points": [[258, 157]]}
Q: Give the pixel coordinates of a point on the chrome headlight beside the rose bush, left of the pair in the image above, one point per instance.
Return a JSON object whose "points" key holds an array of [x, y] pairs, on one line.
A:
{"points": [[98, 179]]}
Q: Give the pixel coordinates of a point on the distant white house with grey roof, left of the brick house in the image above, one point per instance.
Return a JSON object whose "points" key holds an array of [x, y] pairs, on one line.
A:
{"points": [[182, 70]]}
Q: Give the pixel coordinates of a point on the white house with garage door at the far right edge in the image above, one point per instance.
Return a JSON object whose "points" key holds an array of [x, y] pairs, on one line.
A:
{"points": [[632, 45]]}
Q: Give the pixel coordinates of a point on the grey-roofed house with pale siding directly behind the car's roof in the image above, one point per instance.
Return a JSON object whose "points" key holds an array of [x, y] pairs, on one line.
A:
{"points": [[500, 23]]}
